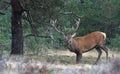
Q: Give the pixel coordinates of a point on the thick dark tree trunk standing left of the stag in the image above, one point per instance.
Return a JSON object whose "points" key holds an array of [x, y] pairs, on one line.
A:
{"points": [[17, 30]]}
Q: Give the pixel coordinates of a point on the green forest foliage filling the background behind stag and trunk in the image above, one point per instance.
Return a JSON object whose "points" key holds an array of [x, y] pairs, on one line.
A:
{"points": [[103, 15]]}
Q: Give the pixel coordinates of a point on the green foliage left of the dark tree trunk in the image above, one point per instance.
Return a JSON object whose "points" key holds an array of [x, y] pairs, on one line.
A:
{"points": [[5, 31]]}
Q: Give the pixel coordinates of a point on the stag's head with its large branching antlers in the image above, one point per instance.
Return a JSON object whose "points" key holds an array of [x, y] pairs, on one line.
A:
{"points": [[68, 37]]}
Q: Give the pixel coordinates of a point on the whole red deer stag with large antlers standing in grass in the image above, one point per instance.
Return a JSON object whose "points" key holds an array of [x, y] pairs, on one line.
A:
{"points": [[85, 43]]}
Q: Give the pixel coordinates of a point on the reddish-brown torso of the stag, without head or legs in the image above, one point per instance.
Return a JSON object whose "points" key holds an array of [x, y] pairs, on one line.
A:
{"points": [[88, 42]]}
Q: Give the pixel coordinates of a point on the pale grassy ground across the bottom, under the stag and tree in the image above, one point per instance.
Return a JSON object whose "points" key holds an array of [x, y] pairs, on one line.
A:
{"points": [[56, 62]]}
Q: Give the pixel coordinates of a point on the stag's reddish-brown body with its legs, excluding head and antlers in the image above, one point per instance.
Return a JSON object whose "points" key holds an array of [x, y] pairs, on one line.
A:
{"points": [[88, 42]]}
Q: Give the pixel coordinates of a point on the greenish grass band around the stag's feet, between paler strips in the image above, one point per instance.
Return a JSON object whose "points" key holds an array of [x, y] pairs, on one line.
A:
{"points": [[65, 59]]}
